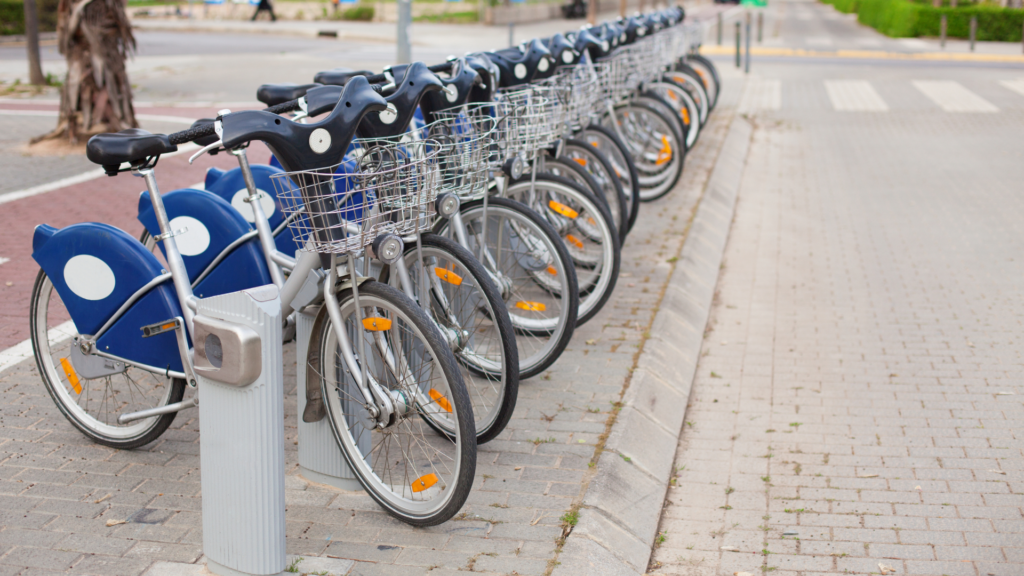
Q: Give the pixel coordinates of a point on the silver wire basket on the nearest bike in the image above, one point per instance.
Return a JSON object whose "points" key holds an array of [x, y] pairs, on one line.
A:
{"points": [[382, 186]]}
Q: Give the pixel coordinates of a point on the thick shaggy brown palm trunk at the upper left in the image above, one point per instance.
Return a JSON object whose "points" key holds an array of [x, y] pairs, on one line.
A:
{"points": [[96, 37]]}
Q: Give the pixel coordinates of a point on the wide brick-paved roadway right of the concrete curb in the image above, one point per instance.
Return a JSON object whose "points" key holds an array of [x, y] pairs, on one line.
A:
{"points": [[858, 405]]}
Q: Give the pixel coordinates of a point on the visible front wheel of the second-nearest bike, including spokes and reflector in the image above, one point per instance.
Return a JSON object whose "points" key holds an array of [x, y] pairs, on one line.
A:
{"points": [[468, 310]]}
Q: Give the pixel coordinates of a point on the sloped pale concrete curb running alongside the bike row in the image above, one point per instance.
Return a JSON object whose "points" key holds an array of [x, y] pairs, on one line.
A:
{"points": [[623, 507]]}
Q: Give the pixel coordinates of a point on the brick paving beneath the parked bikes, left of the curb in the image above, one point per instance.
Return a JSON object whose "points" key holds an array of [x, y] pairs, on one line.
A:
{"points": [[58, 490]]}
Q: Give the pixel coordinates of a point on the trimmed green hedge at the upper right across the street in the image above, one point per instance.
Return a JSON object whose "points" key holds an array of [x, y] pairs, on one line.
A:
{"points": [[901, 19]]}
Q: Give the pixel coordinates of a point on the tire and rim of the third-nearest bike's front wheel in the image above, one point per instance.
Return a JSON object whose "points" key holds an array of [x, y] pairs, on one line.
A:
{"points": [[533, 361]]}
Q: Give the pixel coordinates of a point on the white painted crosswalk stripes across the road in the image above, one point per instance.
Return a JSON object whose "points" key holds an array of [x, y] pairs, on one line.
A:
{"points": [[862, 96]]}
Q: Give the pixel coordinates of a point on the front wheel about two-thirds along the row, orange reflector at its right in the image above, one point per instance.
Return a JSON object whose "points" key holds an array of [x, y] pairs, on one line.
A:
{"points": [[656, 150]]}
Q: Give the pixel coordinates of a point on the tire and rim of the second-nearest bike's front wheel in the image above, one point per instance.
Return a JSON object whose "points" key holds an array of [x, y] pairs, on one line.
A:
{"points": [[489, 423]]}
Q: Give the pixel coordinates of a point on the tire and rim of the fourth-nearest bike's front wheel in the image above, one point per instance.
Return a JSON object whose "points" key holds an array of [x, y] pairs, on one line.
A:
{"points": [[598, 289]]}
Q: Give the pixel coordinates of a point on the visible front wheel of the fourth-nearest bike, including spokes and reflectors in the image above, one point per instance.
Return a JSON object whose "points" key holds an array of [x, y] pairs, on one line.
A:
{"points": [[587, 231]]}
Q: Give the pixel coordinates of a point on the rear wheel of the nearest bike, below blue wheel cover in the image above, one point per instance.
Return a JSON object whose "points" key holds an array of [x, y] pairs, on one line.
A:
{"points": [[93, 405]]}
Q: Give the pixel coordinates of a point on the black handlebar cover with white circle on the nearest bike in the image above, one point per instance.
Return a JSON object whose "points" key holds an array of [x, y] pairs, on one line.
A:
{"points": [[307, 147]]}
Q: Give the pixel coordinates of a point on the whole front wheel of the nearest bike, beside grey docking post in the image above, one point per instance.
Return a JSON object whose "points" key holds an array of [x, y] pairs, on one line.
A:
{"points": [[456, 403]]}
